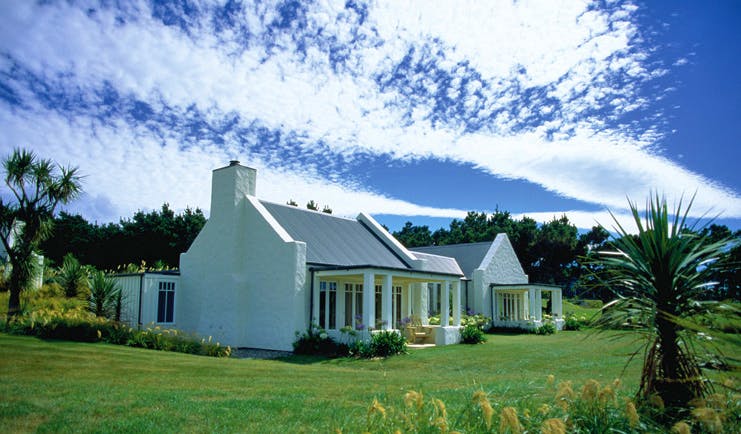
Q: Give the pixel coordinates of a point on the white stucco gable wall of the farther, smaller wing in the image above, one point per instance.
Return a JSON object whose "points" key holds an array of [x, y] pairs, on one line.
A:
{"points": [[500, 265]]}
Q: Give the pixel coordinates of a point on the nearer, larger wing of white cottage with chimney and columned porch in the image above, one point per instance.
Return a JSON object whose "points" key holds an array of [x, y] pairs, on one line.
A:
{"points": [[259, 271]]}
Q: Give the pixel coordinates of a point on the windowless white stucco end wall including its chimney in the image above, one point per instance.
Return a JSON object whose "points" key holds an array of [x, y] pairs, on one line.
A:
{"points": [[242, 280]]}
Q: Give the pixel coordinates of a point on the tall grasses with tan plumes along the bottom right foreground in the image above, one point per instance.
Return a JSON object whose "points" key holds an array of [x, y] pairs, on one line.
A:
{"points": [[592, 409]]}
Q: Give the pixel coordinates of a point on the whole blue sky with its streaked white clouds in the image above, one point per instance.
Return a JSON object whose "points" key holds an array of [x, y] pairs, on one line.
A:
{"points": [[416, 110]]}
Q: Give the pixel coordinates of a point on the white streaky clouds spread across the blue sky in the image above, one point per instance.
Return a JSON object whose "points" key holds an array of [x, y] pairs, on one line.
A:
{"points": [[563, 47]]}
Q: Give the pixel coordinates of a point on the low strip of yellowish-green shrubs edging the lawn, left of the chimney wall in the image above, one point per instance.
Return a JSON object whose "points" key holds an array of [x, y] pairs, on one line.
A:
{"points": [[82, 326]]}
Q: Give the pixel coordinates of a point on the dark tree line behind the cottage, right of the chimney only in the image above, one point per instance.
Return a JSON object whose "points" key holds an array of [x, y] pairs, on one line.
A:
{"points": [[554, 252]]}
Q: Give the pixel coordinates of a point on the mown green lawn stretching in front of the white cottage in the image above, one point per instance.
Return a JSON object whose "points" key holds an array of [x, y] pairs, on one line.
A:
{"points": [[54, 386]]}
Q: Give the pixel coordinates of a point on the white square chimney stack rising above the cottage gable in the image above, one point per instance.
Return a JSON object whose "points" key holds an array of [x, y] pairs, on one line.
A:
{"points": [[229, 185]]}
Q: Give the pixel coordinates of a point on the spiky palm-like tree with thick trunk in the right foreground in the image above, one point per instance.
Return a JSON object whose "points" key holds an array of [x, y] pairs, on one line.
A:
{"points": [[658, 274]]}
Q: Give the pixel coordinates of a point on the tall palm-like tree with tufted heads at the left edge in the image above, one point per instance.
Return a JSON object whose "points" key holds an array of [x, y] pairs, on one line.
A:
{"points": [[37, 187]]}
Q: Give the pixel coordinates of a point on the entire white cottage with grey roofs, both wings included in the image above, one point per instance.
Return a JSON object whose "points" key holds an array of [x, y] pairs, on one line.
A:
{"points": [[258, 272]]}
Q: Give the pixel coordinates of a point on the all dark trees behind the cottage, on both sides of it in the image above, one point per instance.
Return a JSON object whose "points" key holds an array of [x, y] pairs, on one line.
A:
{"points": [[553, 252]]}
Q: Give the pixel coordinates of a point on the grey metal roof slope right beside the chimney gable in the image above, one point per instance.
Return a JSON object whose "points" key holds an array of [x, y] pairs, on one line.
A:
{"points": [[332, 240]]}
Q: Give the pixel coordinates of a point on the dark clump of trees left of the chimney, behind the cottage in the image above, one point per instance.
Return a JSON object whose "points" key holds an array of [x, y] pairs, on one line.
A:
{"points": [[156, 237]]}
